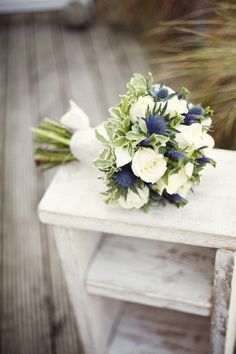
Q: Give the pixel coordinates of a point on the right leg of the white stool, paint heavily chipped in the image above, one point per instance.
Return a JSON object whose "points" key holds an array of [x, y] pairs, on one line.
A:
{"points": [[223, 320]]}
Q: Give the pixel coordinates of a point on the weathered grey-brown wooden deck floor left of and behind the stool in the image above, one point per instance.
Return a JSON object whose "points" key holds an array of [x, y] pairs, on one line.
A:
{"points": [[42, 65]]}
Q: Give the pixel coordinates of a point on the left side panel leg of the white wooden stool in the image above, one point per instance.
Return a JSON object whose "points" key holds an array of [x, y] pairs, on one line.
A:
{"points": [[95, 315]]}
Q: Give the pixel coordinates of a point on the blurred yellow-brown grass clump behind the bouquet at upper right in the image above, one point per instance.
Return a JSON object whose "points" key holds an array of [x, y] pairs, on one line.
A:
{"points": [[199, 51]]}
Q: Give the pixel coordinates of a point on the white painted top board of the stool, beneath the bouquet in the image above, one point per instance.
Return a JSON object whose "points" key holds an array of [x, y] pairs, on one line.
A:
{"points": [[208, 220]]}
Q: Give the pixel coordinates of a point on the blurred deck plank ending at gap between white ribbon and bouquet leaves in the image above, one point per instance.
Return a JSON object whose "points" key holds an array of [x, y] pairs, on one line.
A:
{"points": [[85, 81]]}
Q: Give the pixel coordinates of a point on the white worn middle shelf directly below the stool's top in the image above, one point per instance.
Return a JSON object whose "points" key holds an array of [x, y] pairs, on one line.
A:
{"points": [[161, 274]]}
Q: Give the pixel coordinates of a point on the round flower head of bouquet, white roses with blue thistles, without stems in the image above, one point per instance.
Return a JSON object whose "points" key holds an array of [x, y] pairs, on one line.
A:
{"points": [[155, 145]]}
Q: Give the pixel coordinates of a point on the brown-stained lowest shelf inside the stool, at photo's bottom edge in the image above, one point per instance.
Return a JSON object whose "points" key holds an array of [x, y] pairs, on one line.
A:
{"points": [[145, 330]]}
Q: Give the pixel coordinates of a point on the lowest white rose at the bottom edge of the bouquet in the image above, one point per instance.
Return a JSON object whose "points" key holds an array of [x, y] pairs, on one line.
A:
{"points": [[134, 200]]}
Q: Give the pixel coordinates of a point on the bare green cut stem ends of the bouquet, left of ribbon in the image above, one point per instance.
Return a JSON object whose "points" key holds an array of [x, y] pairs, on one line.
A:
{"points": [[53, 144]]}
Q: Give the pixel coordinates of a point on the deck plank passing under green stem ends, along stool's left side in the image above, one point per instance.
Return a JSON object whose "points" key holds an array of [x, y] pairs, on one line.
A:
{"points": [[52, 76]]}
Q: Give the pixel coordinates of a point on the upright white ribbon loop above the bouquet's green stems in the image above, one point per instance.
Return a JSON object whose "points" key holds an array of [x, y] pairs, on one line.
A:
{"points": [[75, 118]]}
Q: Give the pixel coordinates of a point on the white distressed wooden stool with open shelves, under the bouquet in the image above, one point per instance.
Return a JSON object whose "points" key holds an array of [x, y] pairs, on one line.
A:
{"points": [[161, 282]]}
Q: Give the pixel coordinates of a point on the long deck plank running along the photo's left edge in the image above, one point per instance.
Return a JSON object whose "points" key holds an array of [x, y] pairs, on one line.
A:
{"points": [[25, 317]]}
